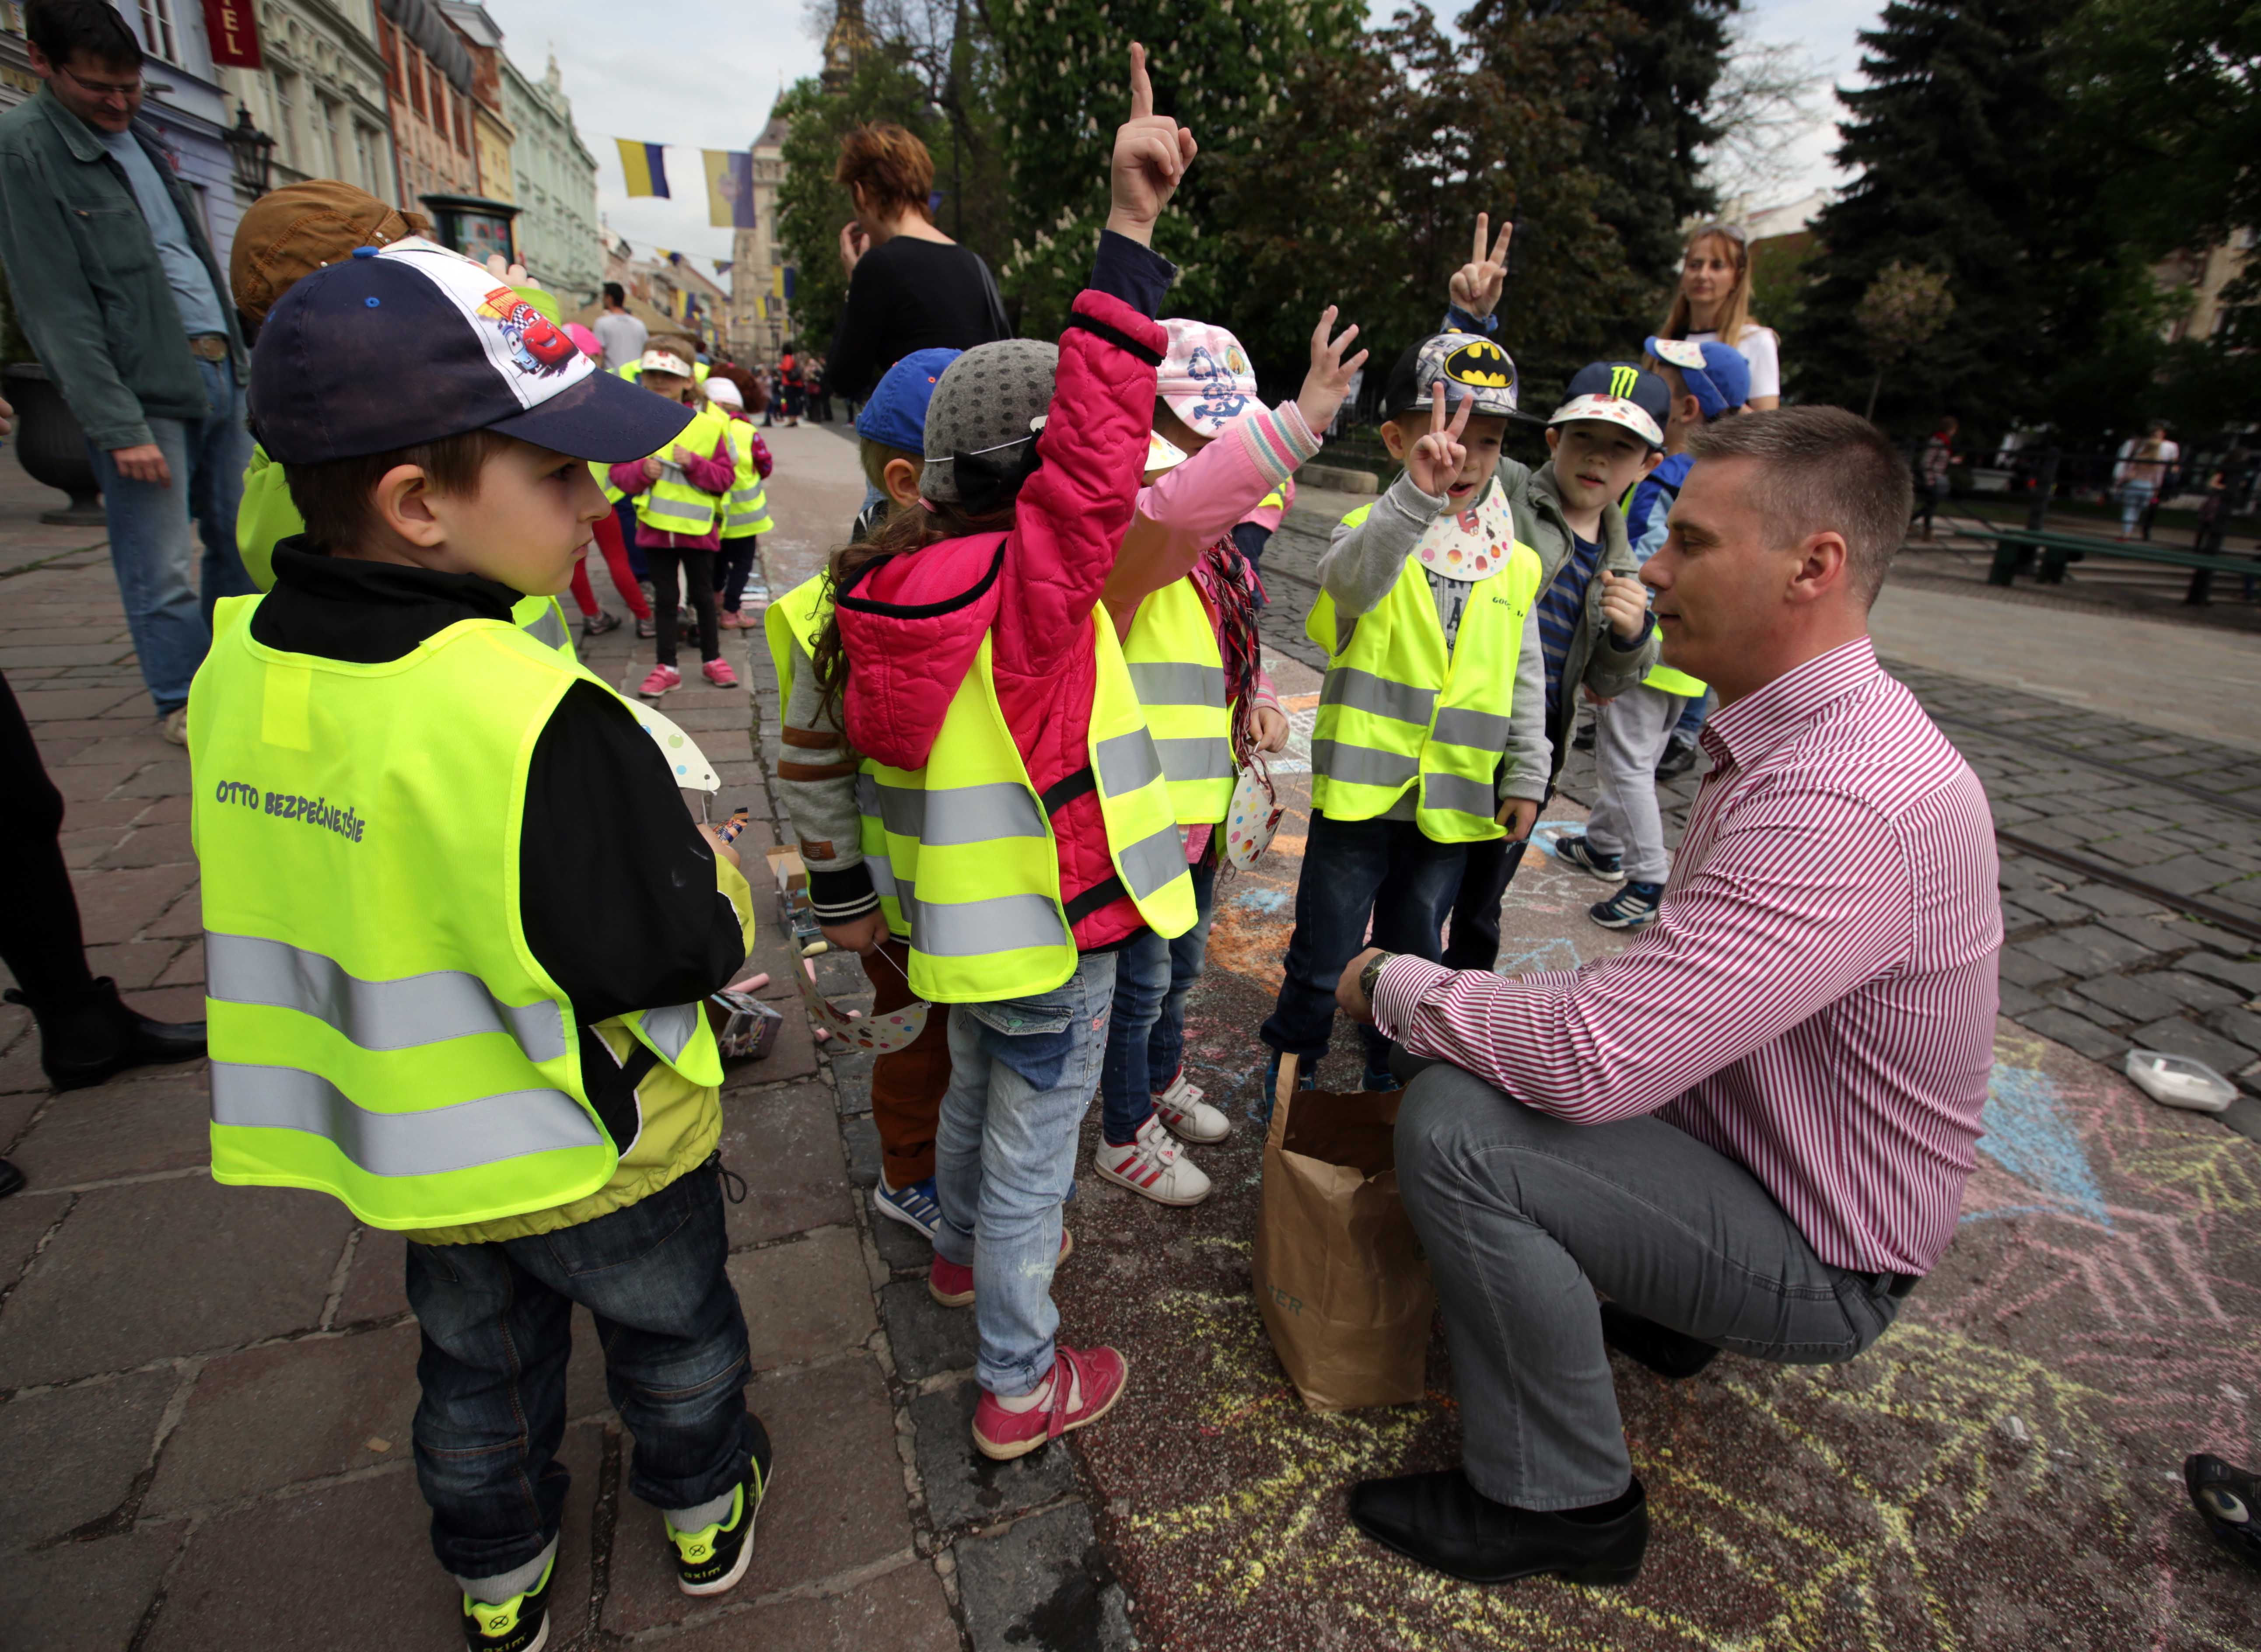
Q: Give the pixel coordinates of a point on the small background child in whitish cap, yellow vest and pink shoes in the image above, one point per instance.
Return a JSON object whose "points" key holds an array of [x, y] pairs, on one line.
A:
{"points": [[682, 501]]}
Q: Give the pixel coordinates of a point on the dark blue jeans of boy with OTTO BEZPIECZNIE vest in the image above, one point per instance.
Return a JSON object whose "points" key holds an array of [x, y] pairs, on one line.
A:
{"points": [[496, 1337]]}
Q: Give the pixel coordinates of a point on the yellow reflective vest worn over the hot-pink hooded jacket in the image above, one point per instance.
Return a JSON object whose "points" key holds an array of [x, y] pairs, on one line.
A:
{"points": [[962, 853]]}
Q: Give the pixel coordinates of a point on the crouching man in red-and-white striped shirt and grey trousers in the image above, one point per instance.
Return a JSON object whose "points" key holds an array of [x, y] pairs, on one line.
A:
{"points": [[1749, 1131]]}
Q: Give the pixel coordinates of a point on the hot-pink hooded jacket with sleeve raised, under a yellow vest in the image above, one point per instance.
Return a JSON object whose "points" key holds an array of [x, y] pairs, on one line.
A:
{"points": [[915, 623]]}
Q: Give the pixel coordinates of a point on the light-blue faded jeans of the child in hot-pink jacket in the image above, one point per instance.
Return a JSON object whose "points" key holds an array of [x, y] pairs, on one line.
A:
{"points": [[1005, 1156]]}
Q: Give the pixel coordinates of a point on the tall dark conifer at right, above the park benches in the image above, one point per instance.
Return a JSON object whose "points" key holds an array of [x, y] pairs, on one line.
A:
{"points": [[1964, 166]]}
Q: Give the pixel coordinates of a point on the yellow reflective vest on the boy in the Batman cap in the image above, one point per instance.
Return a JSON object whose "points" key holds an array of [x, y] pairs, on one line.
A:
{"points": [[1398, 708]]}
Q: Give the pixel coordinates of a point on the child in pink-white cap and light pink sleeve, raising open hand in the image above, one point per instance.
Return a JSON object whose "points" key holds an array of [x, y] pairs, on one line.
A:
{"points": [[1186, 600]]}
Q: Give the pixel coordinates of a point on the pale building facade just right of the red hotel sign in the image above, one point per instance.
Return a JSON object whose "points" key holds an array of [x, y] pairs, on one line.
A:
{"points": [[320, 94]]}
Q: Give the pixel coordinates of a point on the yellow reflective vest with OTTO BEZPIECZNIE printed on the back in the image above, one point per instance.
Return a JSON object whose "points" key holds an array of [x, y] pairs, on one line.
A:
{"points": [[379, 1025]]}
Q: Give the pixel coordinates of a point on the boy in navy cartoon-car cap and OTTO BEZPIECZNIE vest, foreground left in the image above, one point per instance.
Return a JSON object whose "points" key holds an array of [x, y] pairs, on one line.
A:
{"points": [[415, 998]]}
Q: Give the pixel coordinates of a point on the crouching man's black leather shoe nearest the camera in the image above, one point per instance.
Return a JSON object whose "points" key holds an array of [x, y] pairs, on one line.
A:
{"points": [[1450, 1527]]}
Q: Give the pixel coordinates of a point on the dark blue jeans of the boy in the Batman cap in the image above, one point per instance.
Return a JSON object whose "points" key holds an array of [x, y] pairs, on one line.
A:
{"points": [[1344, 869]]}
